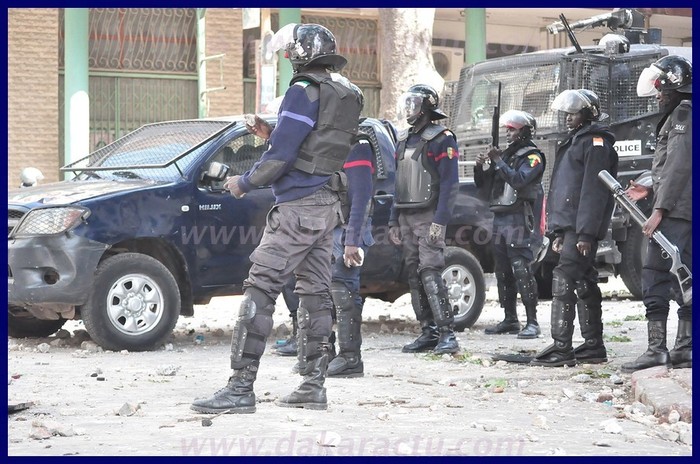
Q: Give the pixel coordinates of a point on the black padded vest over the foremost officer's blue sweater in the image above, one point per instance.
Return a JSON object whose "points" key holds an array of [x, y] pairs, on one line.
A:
{"points": [[327, 146]]}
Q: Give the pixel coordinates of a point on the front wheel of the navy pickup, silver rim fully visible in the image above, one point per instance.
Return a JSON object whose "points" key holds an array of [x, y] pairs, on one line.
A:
{"points": [[134, 304]]}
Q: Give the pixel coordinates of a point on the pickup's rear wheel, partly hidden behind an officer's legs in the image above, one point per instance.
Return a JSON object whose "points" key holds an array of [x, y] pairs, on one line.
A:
{"points": [[465, 286]]}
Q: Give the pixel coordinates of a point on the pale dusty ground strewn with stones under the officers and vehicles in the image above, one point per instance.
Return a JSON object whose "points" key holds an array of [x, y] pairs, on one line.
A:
{"points": [[91, 402]]}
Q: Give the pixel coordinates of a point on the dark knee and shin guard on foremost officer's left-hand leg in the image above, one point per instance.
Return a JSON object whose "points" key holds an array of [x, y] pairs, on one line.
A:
{"points": [[253, 326]]}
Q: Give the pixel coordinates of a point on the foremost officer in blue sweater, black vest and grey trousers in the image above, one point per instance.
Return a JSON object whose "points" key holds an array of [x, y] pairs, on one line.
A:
{"points": [[317, 123]]}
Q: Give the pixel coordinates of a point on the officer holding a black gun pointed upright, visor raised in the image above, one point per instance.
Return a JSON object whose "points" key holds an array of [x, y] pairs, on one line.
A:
{"points": [[513, 182]]}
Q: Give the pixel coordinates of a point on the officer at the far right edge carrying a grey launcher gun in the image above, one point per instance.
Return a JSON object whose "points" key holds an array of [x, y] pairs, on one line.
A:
{"points": [[670, 79]]}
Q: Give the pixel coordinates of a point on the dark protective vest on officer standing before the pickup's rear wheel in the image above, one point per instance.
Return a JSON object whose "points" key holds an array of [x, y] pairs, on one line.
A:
{"points": [[417, 181]]}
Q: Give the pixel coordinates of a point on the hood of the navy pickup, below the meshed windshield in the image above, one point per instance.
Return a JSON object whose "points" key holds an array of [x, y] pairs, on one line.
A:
{"points": [[67, 191]]}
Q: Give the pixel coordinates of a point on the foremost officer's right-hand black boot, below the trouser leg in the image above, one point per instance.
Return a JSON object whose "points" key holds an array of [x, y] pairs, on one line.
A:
{"points": [[310, 394]]}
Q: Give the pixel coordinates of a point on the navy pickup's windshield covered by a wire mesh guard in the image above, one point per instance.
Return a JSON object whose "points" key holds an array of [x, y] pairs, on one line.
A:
{"points": [[159, 152]]}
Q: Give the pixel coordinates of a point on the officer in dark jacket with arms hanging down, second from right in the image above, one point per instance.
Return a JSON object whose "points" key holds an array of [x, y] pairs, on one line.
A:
{"points": [[579, 208]]}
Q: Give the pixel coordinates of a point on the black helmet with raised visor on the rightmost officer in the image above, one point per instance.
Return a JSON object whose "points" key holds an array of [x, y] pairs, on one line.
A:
{"points": [[672, 72]]}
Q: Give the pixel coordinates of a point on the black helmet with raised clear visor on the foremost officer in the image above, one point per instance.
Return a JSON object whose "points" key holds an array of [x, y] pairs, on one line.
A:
{"points": [[307, 44]]}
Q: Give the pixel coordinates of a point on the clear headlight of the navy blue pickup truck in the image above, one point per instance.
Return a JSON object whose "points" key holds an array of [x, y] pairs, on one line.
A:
{"points": [[50, 221]]}
